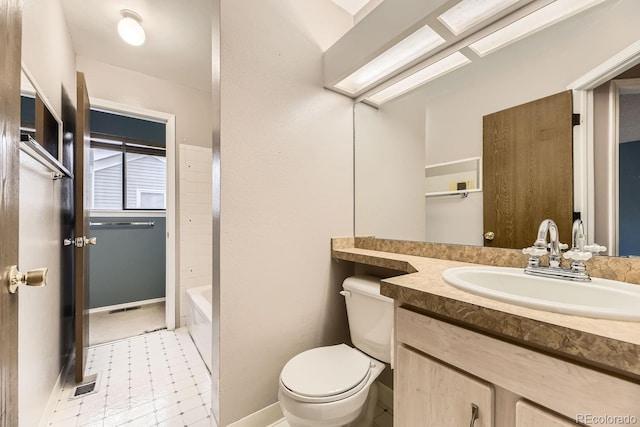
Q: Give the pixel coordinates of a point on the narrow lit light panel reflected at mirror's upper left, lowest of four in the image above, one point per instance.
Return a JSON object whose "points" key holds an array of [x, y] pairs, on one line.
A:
{"points": [[428, 73]]}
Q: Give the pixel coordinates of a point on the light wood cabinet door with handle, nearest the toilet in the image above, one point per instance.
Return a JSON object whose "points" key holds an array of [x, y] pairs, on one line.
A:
{"points": [[430, 394]]}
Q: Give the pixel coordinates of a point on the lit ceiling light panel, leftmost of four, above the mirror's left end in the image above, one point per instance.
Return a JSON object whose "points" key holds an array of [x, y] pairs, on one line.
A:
{"points": [[402, 53]]}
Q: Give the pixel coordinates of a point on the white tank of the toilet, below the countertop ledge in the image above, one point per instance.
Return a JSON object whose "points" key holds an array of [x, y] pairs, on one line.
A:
{"points": [[370, 316]]}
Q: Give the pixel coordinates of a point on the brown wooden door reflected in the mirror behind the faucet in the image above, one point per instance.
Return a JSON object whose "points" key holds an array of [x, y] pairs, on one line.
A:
{"points": [[528, 170]]}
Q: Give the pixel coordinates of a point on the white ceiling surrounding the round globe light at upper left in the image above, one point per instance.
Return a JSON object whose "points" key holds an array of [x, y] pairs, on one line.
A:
{"points": [[178, 43]]}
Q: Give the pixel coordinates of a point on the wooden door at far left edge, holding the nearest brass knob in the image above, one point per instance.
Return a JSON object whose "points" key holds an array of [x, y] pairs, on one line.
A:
{"points": [[10, 45]]}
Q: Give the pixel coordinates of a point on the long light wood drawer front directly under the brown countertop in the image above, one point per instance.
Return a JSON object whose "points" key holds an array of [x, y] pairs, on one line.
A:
{"points": [[563, 387]]}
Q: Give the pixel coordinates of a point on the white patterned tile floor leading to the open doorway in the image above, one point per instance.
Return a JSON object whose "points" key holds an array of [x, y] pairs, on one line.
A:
{"points": [[156, 379]]}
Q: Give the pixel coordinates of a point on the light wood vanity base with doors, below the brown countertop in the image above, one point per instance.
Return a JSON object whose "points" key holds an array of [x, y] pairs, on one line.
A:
{"points": [[443, 369]]}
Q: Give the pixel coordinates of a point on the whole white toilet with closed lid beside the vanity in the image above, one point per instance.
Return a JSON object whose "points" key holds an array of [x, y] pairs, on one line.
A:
{"points": [[334, 386]]}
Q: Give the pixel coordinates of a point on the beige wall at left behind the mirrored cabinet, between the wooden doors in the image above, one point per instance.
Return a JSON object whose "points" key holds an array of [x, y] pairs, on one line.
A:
{"points": [[48, 54]]}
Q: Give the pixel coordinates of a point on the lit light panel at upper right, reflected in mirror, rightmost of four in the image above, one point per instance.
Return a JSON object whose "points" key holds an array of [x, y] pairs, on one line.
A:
{"points": [[535, 21]]}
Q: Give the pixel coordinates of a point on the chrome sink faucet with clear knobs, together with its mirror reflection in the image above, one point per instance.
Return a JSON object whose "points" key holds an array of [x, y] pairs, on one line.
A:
{"points": [[578, 253]]}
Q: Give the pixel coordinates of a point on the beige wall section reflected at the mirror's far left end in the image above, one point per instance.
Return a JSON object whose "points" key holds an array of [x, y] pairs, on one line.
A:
{"points": [[389, 172]]}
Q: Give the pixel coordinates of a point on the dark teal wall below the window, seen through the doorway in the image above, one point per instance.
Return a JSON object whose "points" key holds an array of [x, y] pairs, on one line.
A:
{"points": [[128, 263]]}
